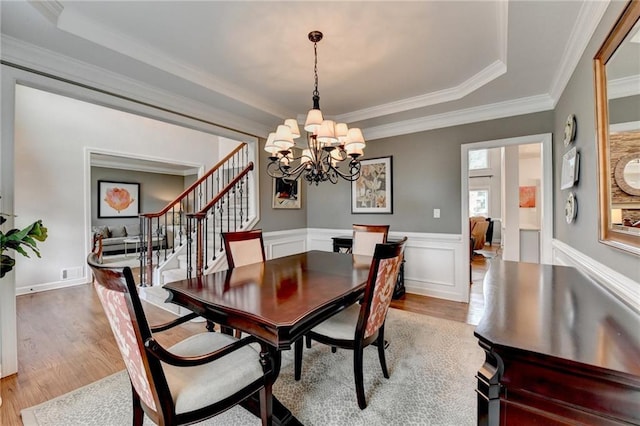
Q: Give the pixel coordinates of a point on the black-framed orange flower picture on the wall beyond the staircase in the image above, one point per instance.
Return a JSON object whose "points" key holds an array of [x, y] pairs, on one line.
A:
{"points": [[118, 199]]}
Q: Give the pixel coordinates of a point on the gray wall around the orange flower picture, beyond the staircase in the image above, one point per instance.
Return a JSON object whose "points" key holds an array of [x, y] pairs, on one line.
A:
{"points": [[156, 190]]}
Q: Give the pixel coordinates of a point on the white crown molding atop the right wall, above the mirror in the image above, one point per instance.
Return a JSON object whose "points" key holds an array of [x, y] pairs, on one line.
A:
{"points": [[589, 17]]}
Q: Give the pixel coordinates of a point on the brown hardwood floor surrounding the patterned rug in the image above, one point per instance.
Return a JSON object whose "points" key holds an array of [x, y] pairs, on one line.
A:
{"points": [[64, 339]]}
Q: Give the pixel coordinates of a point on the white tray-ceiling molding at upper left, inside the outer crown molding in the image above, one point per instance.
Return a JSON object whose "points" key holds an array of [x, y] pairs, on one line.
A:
{"points": [[80, 25]]}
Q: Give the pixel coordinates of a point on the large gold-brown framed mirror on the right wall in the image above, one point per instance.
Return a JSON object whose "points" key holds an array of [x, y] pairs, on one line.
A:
{"points": [[617, 84]]}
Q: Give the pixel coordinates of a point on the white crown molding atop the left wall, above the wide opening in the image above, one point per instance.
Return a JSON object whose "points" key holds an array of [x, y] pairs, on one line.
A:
{"points": [[43, 60]]}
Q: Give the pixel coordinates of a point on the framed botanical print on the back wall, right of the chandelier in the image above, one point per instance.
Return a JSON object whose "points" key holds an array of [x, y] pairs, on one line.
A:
{"points": [[372, 191]]}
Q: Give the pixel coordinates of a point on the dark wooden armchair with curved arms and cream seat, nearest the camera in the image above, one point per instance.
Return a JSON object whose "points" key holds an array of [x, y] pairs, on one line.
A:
{"points": [[195, 379]]}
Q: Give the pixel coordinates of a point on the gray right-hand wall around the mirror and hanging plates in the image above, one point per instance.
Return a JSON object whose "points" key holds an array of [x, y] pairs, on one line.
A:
{"points": [[578, 98]]}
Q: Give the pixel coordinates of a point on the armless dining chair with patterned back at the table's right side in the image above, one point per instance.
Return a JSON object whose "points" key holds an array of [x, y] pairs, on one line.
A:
{"points": [[362, 324]]}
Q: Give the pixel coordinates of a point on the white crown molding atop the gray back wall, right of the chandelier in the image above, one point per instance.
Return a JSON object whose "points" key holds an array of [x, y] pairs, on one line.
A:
{"points": [[465, 116]]}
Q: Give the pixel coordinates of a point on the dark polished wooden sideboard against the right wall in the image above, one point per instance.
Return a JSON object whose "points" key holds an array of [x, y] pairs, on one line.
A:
{"points": [[559, 350]]}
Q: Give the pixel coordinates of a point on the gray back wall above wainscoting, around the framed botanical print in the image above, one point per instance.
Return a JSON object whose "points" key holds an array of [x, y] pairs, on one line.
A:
{"points": [[426, 175]]}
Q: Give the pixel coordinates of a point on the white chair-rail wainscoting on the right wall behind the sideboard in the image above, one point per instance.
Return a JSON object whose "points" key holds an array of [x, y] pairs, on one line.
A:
{"points": [[623, 287]]}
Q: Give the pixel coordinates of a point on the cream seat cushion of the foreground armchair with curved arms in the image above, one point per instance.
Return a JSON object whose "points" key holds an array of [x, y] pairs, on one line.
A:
{"points": [[196, 387]]}
